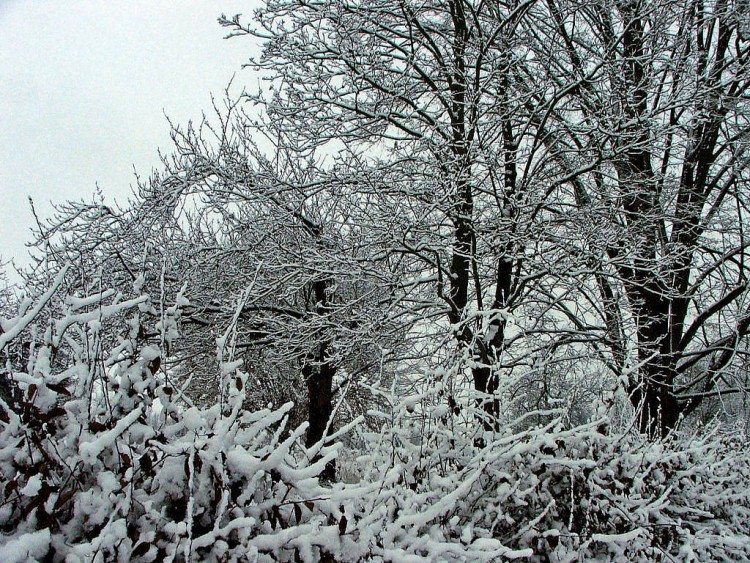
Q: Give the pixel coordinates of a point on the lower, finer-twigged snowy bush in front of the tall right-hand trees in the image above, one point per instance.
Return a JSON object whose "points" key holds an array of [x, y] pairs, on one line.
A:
{"points": [[548, 493]]}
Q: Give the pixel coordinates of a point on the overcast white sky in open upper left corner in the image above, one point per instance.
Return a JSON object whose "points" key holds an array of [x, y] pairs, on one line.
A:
{"points": [[84, 88]]}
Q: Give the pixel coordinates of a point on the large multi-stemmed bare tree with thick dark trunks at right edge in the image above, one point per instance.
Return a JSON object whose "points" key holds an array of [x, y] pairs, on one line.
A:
{"points": [[659, 121]]}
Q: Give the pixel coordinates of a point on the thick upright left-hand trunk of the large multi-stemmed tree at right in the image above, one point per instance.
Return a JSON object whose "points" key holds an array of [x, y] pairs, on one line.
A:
{"points": [[652, 394]]}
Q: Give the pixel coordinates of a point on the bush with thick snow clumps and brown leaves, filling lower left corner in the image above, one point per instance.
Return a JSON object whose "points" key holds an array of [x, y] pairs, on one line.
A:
{"points": [[101, 459]]}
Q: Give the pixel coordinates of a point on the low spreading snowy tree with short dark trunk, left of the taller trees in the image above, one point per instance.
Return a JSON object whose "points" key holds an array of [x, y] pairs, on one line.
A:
{"points": [[266, 235]]}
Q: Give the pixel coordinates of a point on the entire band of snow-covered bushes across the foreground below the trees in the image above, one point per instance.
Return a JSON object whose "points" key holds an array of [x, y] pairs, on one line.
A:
{"points": [[102, 459]]}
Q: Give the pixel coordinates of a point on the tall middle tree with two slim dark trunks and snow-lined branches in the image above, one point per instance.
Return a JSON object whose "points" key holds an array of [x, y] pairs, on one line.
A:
{"points": [[425, 99]]}
